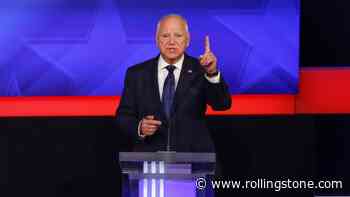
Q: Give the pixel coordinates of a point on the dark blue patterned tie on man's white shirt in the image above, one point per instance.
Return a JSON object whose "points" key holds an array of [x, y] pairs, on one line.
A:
{"points": [[168, 90]]}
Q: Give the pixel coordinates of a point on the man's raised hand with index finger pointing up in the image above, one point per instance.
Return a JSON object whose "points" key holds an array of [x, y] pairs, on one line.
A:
{"points": [[208, 59]]}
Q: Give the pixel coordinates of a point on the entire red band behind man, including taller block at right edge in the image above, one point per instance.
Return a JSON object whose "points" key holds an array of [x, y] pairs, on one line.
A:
{"points": [[320, 91]]}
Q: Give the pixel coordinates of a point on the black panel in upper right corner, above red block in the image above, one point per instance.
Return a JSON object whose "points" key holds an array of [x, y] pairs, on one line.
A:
{"points": [[325, 33]]}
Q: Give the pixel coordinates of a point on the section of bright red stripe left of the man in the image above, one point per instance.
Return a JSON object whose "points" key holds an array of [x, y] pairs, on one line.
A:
{"points": [[58, 106]]}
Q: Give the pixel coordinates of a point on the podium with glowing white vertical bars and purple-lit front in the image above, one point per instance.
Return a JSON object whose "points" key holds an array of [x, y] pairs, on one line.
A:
{"points": [[167, 174]]}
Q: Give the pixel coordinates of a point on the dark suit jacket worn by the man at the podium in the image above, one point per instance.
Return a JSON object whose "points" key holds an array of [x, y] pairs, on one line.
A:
{"points": [[189, 132]]}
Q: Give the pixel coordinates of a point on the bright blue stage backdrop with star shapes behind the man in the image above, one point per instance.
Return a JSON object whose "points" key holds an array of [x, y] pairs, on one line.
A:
{"points": [[83, 47]]}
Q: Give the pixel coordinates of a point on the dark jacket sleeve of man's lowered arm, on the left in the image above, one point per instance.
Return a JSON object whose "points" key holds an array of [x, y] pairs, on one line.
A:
{"points": [[127, 114]]}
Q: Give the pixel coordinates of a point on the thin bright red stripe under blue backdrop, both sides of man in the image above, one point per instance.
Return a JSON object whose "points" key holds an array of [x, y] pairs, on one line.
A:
{"points": [[106, 106]]}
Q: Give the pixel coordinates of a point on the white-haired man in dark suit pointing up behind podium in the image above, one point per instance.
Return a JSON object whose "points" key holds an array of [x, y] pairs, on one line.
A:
{"points": [[165, 98]]}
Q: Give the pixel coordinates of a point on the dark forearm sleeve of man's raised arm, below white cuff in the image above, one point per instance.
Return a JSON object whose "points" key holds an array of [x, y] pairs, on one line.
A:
{"points": [[218, 95]]}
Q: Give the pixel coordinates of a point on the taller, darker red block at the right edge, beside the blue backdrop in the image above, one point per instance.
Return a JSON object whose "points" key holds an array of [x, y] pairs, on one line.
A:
{"points": [[324, 91]]}
